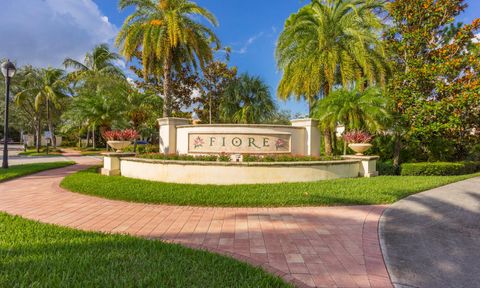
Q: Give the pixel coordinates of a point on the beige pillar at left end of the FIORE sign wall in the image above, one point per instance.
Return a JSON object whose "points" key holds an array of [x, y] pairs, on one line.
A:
{"points": [[168, 133]]}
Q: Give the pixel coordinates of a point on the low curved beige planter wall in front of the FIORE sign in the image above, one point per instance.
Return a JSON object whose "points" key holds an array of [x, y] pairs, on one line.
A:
{"points": [[237, 173]]}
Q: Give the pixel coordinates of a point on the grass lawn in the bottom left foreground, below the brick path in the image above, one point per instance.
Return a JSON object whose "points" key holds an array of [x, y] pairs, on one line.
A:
{"points": [[40, 255]]}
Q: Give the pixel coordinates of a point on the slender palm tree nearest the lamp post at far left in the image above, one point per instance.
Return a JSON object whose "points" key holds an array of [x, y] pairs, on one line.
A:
{"points": [[49, 87]]}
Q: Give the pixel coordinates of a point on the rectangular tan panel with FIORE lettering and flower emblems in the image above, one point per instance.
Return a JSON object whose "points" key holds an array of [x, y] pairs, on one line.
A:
{"points": [[239, 143]]}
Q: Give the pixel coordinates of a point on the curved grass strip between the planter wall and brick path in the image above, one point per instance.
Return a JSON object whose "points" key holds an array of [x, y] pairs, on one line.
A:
{"points": [[377, 190]]}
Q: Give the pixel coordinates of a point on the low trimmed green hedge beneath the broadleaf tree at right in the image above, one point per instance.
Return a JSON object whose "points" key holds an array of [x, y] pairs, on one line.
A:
{"points": [[439, 168]]}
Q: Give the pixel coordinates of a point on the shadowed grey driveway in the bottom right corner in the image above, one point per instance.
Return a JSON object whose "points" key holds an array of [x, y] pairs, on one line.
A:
{"points": [[432, 239]]}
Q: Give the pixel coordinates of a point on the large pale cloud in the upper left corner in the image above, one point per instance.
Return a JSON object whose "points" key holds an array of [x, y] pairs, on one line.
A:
{"points": [[45, 32]]}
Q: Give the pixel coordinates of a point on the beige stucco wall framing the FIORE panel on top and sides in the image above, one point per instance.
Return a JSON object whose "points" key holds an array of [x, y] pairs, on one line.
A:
{"points": [[298, 136]]}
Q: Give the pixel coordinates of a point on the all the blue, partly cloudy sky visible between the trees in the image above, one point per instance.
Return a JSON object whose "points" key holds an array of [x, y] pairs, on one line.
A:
{"points": [[44, 32]]}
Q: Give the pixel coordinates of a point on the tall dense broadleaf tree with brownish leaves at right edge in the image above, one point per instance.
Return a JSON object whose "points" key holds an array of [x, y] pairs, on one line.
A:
{"points": [[435, 86]]}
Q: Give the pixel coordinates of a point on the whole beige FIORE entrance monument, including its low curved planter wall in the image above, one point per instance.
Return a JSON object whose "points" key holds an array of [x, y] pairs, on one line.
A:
{"points": [[178, 136]]}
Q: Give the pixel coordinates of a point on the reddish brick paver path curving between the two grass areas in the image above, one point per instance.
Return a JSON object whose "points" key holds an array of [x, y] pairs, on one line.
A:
{"points": [[318, 246]]}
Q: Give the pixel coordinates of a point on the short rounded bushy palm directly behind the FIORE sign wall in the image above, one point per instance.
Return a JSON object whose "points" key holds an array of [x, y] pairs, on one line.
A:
{"points": [[247, 100]]}
